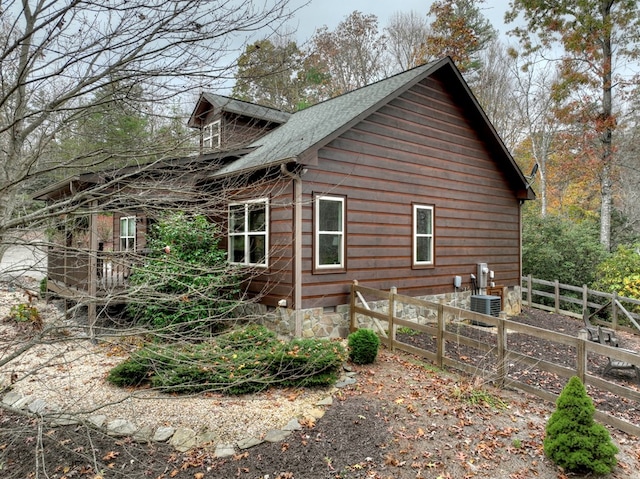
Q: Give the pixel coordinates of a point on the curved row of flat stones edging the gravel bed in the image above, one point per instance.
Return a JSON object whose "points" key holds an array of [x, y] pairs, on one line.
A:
{"points": [[182, 439]]}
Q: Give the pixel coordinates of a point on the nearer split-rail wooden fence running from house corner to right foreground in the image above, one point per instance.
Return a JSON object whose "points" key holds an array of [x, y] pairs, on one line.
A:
{"points": [[500, 363]]}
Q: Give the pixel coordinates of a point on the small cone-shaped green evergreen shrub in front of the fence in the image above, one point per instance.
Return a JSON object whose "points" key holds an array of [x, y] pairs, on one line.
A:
{"points": [[574, 441]]}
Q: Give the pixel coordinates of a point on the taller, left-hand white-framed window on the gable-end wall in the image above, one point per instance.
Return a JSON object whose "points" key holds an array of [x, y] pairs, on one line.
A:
{"points": [[329, 232]]}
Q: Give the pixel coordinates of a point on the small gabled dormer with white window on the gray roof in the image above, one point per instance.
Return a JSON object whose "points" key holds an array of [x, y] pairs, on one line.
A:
{"points": [[226, 123]]}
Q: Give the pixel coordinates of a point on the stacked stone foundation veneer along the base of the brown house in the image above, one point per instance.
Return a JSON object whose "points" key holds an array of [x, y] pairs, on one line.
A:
{"points": [[320, 323]]}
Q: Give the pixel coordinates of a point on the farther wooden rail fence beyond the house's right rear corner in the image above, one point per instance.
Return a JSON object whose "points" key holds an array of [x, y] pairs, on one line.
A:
{"points": [[580, 301]]}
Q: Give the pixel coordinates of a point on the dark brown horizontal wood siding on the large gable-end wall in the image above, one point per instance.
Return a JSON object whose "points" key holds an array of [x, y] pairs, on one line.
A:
{"points": [[420, 148]]}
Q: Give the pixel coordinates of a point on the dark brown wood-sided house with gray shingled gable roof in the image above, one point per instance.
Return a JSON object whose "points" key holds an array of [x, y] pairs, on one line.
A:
{"points": [[403, 183]]}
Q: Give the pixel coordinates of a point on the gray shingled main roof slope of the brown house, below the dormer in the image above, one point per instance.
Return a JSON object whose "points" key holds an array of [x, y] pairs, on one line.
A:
{"points": [[316, 125]]}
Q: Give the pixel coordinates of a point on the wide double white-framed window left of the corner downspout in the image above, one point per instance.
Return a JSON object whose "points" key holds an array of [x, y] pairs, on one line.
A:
{"points": [[249, 232]]}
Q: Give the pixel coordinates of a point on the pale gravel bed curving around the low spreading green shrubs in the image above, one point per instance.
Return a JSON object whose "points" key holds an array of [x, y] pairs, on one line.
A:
{"points": [[69, 372]]}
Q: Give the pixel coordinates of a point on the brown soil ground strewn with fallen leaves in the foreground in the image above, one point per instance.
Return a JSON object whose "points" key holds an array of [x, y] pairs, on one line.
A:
{"points": [[402, 419]]}
